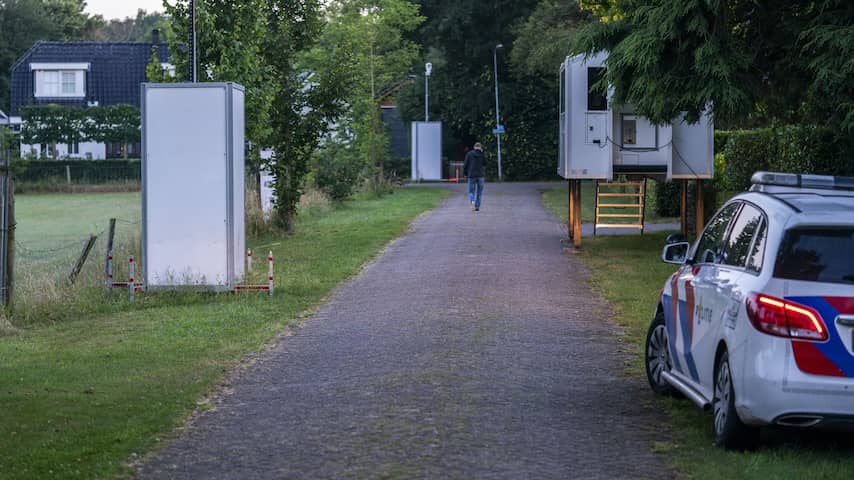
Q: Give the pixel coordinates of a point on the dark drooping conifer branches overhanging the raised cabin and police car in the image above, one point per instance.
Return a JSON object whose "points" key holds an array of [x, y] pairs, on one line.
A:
{"points": [[750, 61]]}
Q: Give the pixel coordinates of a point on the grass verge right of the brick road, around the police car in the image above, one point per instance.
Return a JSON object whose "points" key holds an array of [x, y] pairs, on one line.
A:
{"points": [[628, 272]]}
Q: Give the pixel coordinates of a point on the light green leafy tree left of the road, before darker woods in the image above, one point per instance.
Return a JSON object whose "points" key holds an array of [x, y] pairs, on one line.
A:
{"points": [[368, 39]]}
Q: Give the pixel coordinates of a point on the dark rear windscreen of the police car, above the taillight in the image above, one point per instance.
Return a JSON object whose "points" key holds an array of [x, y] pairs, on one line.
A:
{"points": [[817, 254]]}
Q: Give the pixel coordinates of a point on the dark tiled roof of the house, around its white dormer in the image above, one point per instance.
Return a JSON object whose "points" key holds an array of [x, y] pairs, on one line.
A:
{"points": [[115, 71]]}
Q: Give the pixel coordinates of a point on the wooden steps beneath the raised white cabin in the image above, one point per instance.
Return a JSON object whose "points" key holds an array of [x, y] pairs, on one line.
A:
{"points": [[620, 205]]}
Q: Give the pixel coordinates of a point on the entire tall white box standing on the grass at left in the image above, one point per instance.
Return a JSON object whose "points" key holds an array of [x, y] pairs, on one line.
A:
{"points": [[193, 185]]}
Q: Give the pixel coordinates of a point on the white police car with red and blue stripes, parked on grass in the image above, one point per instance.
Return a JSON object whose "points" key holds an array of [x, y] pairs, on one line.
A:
{"points": [[757, 324]]}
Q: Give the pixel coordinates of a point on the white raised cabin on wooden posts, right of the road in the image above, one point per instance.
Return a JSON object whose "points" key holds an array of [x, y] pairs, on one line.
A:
{"points": [[599, 140]]}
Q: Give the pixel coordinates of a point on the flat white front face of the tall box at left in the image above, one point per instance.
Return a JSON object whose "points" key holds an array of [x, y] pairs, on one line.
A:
{"points": [[185, 201]]}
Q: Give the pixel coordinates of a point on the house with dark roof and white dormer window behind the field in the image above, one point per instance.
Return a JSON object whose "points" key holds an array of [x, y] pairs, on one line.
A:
{"points": [[82, 74]]}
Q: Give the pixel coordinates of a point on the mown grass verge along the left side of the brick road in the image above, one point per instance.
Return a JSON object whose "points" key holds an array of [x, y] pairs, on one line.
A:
{"points": [[82, 396]]}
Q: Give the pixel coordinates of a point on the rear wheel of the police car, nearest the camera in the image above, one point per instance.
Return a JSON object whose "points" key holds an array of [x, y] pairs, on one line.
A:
{"points": [[730, 431]]}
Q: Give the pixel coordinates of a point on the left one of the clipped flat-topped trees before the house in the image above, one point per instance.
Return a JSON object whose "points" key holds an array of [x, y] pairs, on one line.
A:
{"points": [[52, 124]]}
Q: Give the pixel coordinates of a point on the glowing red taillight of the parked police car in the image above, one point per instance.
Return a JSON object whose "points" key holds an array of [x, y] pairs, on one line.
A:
{"points": [[783, 318]]}
